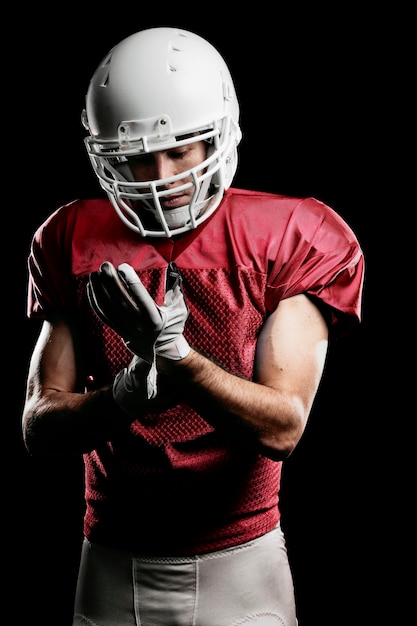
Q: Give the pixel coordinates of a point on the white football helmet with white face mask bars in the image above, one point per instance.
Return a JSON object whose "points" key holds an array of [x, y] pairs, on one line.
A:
{"points": [[156, 90]]}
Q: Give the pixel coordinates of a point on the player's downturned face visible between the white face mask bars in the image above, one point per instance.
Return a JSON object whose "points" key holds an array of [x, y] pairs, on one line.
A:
{"points": [[167, 163]]}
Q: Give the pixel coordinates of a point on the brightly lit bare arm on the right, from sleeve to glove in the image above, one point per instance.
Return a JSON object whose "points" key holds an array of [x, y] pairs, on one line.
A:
{"points": [[272, 412]]}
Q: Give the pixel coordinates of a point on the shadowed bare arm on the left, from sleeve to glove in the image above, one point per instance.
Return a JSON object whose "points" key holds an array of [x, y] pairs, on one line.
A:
{"points": [[59, 417]]}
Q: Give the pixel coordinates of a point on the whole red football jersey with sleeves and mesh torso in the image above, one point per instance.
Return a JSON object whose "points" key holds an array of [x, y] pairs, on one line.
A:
{"points": [[172, 484]]}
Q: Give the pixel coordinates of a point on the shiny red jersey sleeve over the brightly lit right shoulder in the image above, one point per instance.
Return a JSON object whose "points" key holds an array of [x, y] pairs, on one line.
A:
{"points": [[320, 256]]}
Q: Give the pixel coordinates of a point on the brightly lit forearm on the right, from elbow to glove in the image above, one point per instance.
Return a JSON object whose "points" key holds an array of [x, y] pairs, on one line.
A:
{"points": [[260, 416]]}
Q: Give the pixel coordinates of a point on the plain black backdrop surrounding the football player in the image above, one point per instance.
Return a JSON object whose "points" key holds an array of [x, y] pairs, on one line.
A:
{"points": [[310, 86]]}
